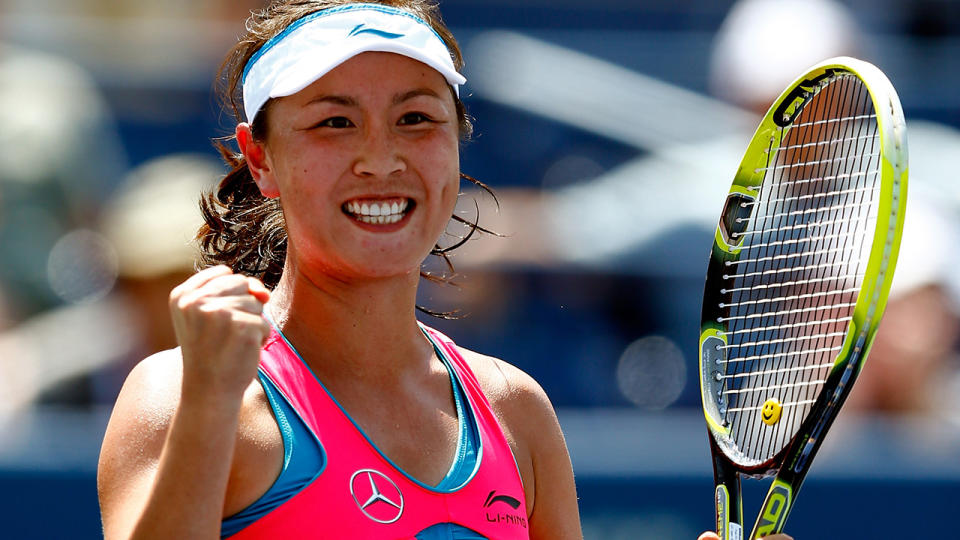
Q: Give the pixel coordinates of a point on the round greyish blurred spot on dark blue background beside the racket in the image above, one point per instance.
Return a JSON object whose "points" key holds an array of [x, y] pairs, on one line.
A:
{"points": [[651, 372]]}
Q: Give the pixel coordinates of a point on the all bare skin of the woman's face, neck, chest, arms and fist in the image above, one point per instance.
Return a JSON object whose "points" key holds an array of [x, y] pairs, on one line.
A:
{"points": [[192, 438]]}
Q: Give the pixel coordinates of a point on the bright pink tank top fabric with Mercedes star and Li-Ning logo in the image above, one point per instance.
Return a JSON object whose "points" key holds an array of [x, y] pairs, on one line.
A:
{"points": [[360, 494]]}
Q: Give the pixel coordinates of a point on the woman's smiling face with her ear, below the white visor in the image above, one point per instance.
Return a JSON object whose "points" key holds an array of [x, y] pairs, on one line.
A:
{"points": [[365, 162]]}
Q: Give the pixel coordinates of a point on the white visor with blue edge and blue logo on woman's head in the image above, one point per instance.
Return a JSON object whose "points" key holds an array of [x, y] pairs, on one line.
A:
{"points": [[312, 46]]}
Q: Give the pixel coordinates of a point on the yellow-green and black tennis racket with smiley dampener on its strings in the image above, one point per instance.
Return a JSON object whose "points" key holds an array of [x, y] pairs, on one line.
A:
{"points": [[798, 279]]}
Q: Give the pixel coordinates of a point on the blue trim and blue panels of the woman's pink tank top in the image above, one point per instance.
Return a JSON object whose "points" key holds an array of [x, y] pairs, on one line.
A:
{"points": [[300, 461]]}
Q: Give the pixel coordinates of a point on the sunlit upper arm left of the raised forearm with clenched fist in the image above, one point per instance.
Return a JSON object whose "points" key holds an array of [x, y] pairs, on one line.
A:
{"points": [[134, 440]]}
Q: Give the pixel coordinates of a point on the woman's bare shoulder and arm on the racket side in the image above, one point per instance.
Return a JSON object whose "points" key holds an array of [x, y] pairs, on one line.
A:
{"points": [[528, 417]]}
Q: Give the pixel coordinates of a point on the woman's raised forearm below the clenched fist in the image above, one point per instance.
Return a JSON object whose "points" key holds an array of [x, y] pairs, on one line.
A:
{"points": [[187, 497]]}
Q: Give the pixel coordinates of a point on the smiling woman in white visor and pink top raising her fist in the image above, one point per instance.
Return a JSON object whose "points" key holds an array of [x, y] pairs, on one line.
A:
{"points": [[360, 423]]}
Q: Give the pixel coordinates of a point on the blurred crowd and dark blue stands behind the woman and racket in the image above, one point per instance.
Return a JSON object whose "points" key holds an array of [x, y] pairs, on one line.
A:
{"points": [[610, 131]]}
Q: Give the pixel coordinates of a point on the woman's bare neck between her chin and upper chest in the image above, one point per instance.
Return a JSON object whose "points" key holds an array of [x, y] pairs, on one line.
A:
{"points": [[366, 329]]}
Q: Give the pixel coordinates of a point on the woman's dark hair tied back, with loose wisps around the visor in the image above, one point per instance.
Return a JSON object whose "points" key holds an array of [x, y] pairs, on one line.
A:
{"points": [[245, 230]]}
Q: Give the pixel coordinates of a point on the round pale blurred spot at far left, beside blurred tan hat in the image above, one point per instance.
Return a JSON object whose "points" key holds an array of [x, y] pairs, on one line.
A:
{"points": [[82, 267]]}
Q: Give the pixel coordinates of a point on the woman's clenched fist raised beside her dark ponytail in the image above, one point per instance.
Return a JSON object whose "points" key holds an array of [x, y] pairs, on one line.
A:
{"points": [[218, 319]]}
